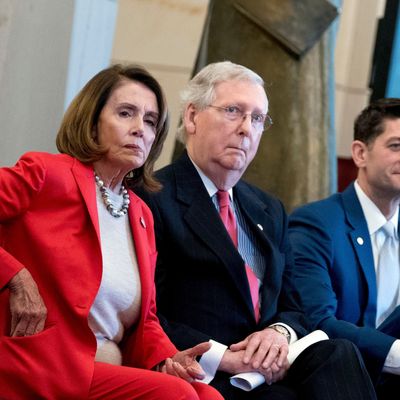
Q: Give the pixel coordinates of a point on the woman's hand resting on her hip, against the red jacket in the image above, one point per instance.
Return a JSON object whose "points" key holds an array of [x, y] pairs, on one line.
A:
{"points": [[28, 312]]}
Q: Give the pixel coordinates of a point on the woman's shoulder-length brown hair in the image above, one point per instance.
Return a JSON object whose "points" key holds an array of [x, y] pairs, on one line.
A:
{"points": [[75, 136]]}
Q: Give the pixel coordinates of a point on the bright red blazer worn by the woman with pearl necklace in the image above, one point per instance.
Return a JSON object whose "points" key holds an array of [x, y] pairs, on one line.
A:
{"points": [[49, 224]]}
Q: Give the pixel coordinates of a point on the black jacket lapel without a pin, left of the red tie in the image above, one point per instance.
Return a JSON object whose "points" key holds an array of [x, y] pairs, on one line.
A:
{"points": [[203, 220]]}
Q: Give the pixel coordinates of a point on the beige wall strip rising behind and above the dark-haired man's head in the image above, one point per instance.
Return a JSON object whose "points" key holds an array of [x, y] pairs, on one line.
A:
{"points": [[353, 54]]}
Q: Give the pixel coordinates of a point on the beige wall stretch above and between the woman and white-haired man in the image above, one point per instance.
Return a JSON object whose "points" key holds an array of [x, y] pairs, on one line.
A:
{"points": [[163, 36]]}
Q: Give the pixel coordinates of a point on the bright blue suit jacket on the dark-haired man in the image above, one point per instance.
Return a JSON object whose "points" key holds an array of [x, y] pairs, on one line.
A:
{"points": [[335, 274]]}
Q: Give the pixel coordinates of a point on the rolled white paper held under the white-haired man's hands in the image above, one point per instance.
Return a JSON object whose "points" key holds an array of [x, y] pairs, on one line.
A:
{"points": [[249, 380]]}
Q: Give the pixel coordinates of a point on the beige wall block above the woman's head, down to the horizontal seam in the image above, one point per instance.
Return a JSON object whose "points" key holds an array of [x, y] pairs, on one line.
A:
{"points": [[162, 32]]}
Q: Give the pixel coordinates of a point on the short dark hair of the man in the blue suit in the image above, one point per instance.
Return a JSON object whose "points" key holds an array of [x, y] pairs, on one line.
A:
{"points": [[370, 123]]}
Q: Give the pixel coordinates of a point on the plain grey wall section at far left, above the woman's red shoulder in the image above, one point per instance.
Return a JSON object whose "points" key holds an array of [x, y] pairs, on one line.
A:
{"points": [[34, 61]]}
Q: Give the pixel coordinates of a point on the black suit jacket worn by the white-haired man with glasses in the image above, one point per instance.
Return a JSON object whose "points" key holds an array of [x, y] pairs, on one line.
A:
{"points": [[202, 288]]}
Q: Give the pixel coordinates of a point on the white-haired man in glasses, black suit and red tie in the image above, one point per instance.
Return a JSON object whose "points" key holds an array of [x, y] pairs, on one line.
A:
{"points": [[224, 260]]}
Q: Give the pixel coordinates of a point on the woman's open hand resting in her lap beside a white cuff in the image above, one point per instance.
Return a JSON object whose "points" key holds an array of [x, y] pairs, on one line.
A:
{"points": [[184, 365]]}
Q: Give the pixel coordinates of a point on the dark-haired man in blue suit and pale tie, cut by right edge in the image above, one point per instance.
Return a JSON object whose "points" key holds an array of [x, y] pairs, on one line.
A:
{"points": [[338, 244]]}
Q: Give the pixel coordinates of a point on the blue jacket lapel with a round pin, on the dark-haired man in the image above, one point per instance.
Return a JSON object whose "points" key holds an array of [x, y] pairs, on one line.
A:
{"points": [[360, 239]]}
